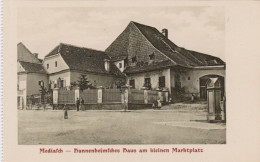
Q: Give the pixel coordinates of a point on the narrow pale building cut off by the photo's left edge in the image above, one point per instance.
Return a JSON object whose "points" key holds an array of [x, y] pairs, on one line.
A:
{"points": [[29, 72]]}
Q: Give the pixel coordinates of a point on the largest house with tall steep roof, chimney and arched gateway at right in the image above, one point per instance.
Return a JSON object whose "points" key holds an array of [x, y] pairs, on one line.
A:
{"points": [[150, 59]]}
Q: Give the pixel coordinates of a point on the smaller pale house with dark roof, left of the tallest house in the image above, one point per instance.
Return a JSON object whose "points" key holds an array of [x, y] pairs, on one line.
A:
{"points": [[65, 63]]}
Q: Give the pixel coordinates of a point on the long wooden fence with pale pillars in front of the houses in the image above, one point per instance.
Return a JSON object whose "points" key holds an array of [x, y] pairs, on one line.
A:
{"points": [[98, 96]]}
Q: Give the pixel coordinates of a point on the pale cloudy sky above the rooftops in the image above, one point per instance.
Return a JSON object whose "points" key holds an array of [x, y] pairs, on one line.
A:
{"points": [[197, 28]]}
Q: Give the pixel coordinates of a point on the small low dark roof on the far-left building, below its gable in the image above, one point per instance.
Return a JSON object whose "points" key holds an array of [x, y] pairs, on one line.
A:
{"points": [[32, 67]]}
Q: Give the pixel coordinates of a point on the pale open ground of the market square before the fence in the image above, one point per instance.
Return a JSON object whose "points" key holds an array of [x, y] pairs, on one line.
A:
{"points": [[181, 123]]}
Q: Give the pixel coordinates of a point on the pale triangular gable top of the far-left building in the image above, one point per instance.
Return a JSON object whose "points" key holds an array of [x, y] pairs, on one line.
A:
{"points": [[24, 54]]}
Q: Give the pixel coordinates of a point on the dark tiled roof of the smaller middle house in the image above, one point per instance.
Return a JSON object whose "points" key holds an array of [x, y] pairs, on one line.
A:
{"points": [[84, 59]]}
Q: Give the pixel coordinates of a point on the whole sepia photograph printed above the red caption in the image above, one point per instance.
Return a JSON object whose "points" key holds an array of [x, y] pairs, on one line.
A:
{"points": [[121, 75]]}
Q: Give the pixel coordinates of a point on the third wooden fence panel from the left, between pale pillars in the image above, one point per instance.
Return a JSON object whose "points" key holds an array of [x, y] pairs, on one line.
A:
{"points": [[111, 96]]}
